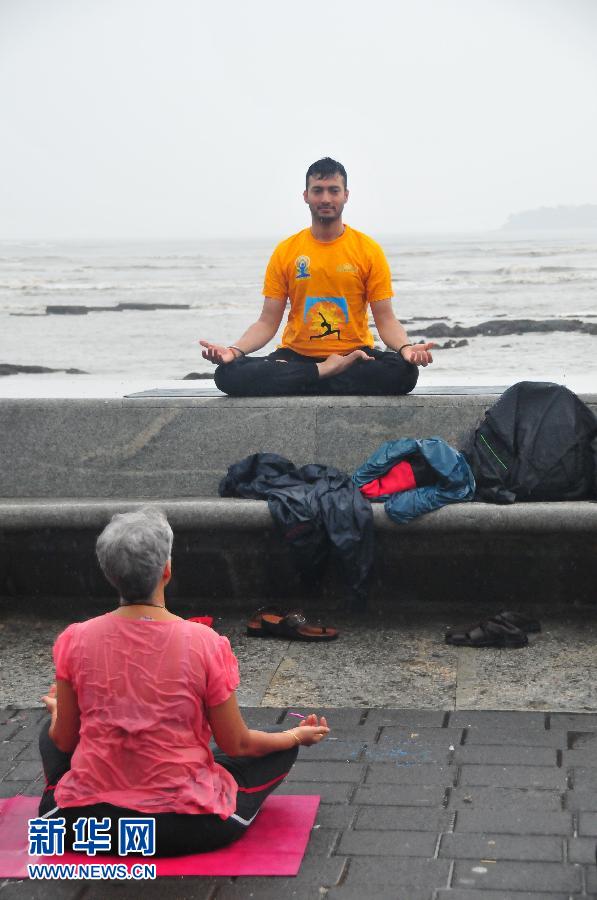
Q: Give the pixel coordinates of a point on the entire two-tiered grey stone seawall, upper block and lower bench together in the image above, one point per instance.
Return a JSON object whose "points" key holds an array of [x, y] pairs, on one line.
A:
{"points": [[67, 465]]}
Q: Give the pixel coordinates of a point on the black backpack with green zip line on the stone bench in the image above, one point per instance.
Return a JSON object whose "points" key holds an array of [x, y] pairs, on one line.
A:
{"points": [[534, 444]]}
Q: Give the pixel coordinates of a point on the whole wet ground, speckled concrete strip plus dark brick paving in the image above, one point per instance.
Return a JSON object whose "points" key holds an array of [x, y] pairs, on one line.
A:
{"points": [[418, 803]]}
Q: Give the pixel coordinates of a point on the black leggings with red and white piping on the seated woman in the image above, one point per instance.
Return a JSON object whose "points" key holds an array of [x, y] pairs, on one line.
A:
{"points": [[176, 833]]}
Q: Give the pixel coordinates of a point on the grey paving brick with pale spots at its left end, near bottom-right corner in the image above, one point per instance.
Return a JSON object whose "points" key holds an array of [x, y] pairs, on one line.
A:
{"points": [[539, 877]]}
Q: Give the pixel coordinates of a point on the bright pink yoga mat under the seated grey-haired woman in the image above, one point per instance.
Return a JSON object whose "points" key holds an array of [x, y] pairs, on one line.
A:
{"points": [[274, 844]]}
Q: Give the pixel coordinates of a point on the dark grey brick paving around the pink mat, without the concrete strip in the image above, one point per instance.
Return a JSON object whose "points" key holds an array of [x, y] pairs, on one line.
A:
{"points": [[416, 805]]}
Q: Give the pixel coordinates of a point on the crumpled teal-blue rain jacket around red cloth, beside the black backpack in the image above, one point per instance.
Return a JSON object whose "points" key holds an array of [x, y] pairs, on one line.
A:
{"points": [[455, 478]]}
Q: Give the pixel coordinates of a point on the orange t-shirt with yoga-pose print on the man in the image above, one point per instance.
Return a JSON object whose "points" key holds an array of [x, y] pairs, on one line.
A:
{"points": [[329, 285]]}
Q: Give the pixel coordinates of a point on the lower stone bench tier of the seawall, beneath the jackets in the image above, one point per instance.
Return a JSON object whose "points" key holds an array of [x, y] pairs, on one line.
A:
{"points": [[228, 555]]}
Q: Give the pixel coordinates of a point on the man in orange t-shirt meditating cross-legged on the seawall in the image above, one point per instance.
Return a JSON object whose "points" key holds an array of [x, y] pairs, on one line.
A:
{"points": [[331, 274]]}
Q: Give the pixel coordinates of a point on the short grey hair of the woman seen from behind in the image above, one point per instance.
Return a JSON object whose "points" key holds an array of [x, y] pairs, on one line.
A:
{"points": [[132, 551]]}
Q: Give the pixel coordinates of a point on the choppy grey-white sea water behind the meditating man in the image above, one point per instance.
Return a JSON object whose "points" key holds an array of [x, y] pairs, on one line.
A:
{"points": [[213, 290]]}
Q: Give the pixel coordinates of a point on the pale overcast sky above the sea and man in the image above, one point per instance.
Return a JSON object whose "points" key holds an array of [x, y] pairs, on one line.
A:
{"points": [[181, 118]]}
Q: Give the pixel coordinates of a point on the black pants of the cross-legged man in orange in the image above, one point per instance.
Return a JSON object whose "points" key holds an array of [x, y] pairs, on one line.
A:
{"points": [[266, 376]]}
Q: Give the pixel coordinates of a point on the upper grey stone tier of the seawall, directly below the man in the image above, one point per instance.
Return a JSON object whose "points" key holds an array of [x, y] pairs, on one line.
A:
{"points": [[169, 448]]}
